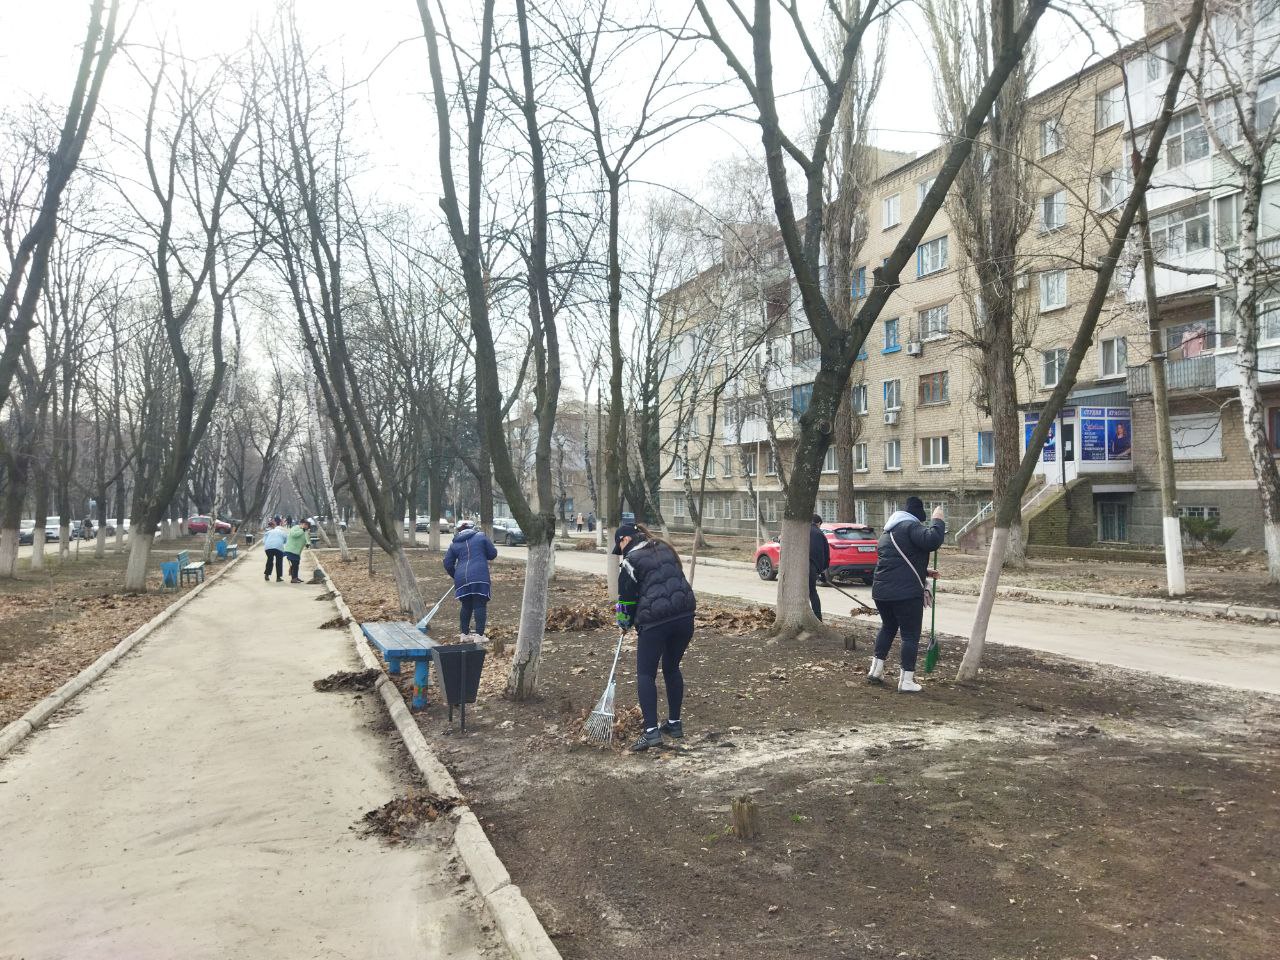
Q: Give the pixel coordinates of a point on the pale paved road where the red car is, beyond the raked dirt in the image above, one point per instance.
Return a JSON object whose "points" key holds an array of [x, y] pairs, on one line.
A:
{"points": [[1232, 655]]}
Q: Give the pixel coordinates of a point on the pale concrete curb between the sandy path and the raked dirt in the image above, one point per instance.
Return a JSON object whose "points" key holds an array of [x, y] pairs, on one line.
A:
{"points": [[522, 931]]}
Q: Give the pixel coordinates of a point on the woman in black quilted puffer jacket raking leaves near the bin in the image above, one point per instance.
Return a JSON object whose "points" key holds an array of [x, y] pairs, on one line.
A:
{"points": [[655, 597]]}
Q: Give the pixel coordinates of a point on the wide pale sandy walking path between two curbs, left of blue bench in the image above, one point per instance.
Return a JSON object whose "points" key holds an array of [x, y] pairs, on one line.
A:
{"points": [[198, 801]]}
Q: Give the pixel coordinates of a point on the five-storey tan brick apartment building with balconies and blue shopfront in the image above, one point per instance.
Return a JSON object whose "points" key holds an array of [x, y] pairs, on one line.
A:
{"points": [[921, 426]]}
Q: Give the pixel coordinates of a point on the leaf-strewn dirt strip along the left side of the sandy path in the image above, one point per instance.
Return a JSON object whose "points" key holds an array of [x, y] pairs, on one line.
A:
{"points": [[57, 621]]}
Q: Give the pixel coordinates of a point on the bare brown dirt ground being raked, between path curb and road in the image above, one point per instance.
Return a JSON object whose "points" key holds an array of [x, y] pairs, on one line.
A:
{"points": [[1053, 811]]}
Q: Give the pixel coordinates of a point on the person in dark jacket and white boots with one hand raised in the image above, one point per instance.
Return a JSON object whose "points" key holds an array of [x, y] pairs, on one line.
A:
{"points": [[899, 589]]}
